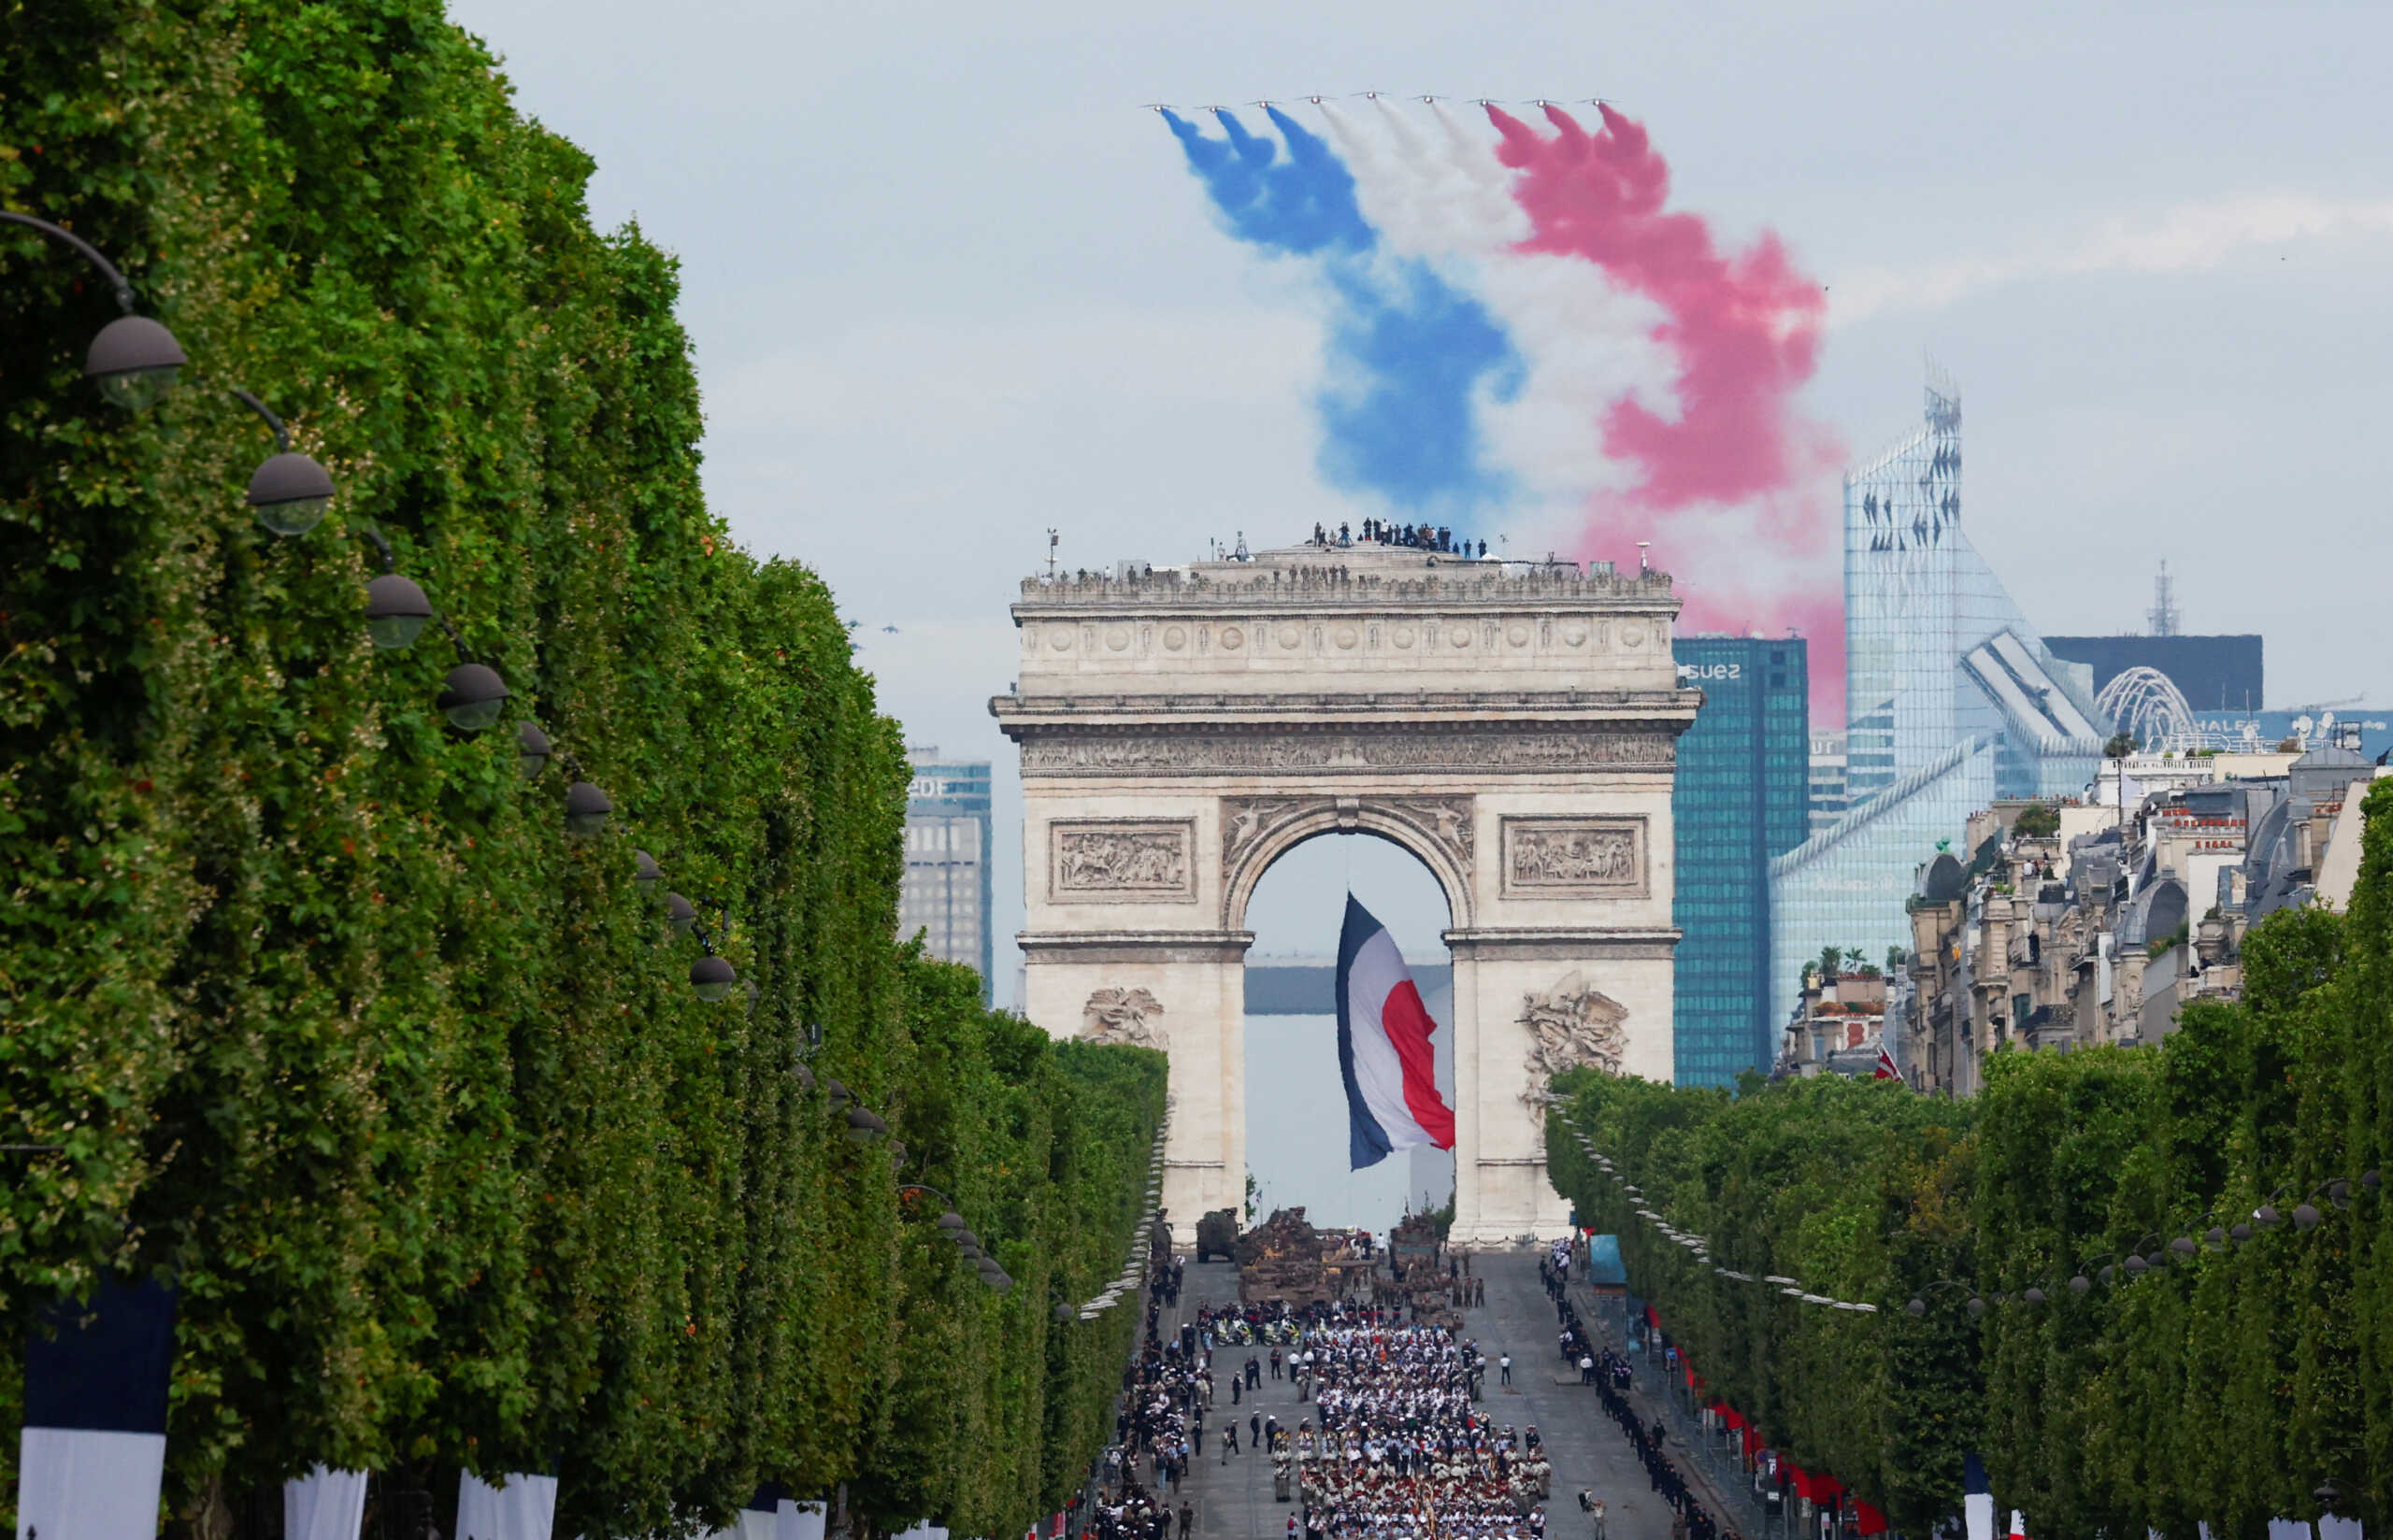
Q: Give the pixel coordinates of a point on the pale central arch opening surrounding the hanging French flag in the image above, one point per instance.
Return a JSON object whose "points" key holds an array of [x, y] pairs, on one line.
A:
{"points": [[1296, 1099]]}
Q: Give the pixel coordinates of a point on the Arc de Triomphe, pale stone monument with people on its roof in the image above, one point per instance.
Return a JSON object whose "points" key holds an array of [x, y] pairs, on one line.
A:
{"points": [[1509, 726]]}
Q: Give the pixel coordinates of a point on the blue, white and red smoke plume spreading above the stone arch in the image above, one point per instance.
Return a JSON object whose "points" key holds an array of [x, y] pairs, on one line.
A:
{"points": [[1521, 329]]}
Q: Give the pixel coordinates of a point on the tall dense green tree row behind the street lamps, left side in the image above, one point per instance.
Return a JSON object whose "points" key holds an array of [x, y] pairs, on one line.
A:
{"points": [[327, 1015]]}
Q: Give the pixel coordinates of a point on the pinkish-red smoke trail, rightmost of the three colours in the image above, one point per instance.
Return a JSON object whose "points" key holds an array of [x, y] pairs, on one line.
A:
{"points": [[1746, 336]]}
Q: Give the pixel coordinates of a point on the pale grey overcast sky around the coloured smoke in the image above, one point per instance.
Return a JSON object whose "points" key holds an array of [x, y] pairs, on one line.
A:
{"points": [[951, 286]]}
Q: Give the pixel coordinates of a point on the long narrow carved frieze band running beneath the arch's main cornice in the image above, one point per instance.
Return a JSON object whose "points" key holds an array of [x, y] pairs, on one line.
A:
{"points": [[1408, 750]]}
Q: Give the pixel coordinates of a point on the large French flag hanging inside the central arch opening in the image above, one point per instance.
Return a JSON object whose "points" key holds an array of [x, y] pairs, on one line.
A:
{"points": [[1384, 1051]]}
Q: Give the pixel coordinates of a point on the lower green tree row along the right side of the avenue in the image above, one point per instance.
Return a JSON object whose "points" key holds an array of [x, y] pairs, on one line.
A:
{"points": [[2220, 1386]]}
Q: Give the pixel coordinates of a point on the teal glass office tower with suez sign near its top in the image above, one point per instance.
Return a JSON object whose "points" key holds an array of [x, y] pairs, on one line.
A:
{"points": [[1741, 797]]}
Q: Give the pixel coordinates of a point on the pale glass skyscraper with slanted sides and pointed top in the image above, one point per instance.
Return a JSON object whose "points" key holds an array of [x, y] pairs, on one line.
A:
{"points": [[1951, 702]]}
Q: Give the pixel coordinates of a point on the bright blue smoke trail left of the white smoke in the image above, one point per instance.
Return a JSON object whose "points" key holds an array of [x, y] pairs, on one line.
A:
{"points": [[1408, 350]]}
